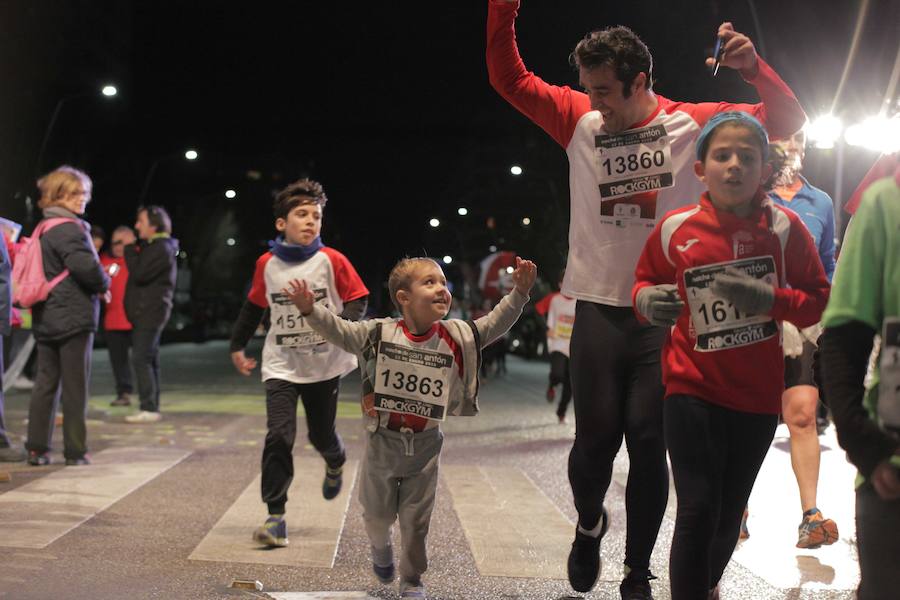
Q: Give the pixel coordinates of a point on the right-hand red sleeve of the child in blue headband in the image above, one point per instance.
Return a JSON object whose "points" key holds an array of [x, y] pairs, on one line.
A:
{"points": [[804, 301]]}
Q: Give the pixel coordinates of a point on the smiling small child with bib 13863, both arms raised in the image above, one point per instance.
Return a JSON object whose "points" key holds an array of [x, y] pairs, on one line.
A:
{"points": [[416, 370]]}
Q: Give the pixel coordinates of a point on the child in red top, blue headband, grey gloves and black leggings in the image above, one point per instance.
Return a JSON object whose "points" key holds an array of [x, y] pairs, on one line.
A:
{"points": [[723, 274]]}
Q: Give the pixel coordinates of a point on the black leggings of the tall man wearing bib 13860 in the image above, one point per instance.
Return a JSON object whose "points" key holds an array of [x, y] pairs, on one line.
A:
{"points": [[618, 391]]}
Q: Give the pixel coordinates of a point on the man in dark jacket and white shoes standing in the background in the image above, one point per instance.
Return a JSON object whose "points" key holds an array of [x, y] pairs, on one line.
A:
{"points": [[148, 302]]}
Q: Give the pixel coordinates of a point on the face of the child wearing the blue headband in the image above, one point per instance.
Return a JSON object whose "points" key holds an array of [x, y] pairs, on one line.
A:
{"points": [[733, 168]]}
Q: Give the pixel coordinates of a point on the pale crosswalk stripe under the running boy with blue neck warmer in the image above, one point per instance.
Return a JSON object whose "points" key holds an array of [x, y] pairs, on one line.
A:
{"points": [[314, 524]]}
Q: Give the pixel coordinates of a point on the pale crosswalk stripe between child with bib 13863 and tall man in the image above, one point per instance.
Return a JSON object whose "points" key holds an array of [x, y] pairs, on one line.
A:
{"points": [[513, 528]]}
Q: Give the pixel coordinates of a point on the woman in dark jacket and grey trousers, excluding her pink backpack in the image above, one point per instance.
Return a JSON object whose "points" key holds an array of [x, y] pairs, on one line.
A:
{"points": [[64, 324]]}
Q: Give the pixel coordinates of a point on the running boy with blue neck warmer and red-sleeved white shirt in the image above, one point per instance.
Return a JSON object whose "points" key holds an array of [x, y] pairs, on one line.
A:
{"points": [[297, 362]]}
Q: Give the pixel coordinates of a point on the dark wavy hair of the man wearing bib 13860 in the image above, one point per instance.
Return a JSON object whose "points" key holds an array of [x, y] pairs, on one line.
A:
{"points": [[618, 48]]}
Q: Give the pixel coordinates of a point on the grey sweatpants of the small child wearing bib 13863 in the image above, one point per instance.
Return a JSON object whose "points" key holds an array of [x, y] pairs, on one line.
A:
{"points": [[399, 479]]}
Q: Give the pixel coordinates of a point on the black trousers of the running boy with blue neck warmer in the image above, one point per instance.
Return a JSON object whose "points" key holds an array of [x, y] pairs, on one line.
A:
{"points": [[320, 404]]}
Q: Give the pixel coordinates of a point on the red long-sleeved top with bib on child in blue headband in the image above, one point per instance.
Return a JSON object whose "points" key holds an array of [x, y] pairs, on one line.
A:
{"points": [[714, 352]]}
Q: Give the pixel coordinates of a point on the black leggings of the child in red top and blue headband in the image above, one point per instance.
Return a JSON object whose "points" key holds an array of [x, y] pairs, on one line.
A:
{"points": [[716, 454]]}
